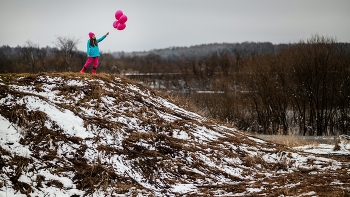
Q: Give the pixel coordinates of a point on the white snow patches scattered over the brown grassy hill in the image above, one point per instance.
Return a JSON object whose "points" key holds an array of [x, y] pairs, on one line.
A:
{"points": [[73, 125]]}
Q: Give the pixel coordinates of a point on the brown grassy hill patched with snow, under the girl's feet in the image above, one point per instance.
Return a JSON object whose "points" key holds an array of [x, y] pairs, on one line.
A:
{"points": [[66, 134]]}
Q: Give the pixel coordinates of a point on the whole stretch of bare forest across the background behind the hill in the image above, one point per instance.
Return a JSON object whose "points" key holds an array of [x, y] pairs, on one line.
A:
{"points": [[301, 88]]}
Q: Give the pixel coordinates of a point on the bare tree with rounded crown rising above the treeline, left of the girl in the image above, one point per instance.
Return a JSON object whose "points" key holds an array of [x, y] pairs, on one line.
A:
{"points": [[67, 46]]}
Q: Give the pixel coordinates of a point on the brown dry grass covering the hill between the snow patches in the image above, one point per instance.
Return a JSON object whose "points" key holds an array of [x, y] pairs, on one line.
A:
{"points": [[152, 152]]}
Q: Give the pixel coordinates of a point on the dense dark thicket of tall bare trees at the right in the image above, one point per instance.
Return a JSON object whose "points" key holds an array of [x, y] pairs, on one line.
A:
{"points": [[307, 85]]}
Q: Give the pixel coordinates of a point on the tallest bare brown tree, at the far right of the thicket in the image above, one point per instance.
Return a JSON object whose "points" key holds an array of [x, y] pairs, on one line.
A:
{"points": [[317, 73]]}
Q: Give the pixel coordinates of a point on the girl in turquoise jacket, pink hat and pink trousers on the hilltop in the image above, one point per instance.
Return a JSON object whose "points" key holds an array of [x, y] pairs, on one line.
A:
{"points": [[93, 52]]}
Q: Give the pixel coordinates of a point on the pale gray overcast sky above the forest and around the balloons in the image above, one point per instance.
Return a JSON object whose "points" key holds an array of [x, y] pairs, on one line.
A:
{"points": [[156, 24]]}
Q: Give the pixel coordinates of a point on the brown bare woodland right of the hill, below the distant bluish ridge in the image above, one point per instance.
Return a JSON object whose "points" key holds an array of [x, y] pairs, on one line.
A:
{"points": [[302, 87]]}
